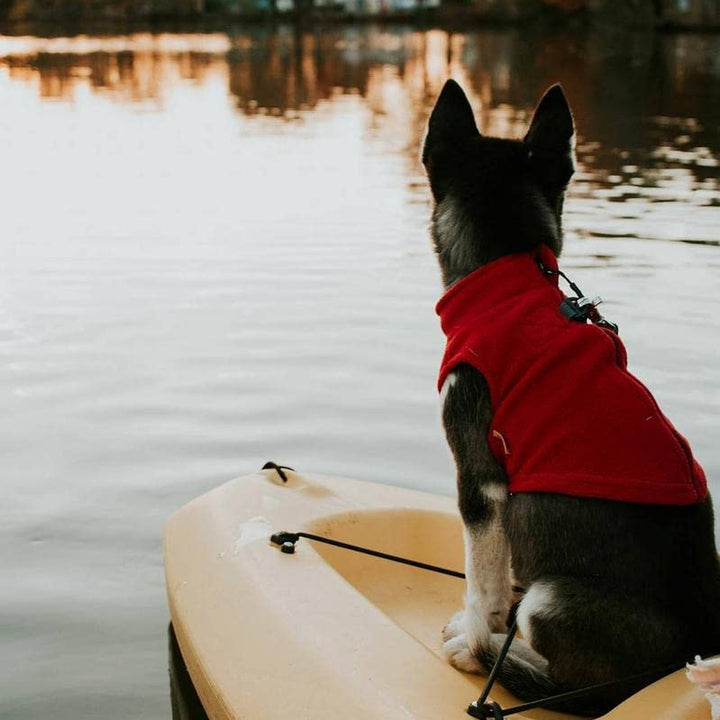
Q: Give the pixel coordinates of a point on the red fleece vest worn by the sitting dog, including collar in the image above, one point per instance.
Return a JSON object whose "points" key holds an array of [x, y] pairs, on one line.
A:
{"points": [[567, 415]]}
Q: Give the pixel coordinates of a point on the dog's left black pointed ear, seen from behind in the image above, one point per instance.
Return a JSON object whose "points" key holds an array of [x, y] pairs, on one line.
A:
{"points": [[451, 125]]}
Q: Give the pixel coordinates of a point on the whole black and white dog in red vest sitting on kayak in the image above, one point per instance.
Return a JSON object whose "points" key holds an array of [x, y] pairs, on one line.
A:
{"points": [[621, 577]]}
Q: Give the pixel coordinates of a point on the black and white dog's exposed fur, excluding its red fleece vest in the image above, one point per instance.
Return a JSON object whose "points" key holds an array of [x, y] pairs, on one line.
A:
{"points": [[613, 588]]}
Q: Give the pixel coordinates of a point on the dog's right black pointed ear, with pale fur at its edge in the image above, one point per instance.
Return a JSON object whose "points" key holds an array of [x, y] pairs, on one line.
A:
{"points": [[551, 139]]}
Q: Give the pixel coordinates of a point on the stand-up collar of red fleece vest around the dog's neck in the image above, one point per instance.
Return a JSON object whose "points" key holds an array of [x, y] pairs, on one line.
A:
{"points": [[505, 279]]}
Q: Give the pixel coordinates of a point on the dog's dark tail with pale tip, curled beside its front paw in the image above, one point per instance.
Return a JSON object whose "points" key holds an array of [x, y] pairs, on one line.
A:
{"points": [[525, 674]]}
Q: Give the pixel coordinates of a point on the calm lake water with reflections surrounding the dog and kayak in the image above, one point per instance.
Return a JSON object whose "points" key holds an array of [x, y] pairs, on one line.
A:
{"points": [[214, 252]]}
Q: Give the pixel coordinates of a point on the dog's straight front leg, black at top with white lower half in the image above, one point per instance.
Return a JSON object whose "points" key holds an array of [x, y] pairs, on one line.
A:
{"points": [[482, 492]]}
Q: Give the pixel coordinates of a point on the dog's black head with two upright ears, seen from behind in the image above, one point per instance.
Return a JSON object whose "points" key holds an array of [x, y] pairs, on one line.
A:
{"points": [[492, 196]]}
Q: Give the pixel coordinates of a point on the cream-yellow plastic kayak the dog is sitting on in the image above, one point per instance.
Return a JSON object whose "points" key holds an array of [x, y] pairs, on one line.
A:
{"points": [[326, 633]]}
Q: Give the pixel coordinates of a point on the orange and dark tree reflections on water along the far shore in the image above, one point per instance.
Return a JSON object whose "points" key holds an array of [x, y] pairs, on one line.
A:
{"points": [[645, 136]]}
